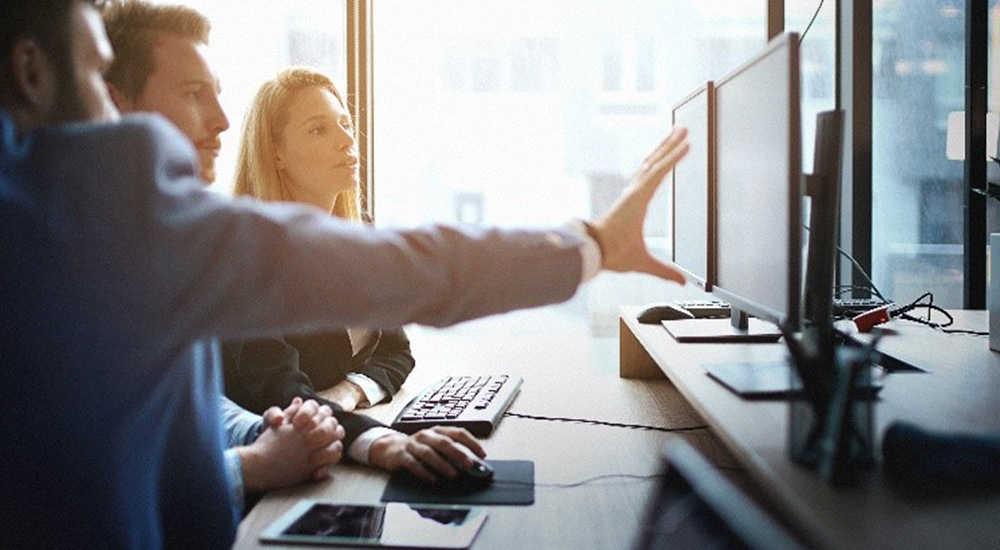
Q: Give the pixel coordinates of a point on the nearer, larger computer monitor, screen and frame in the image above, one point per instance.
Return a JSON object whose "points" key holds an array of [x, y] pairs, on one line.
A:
{"points": [[759, 186]]}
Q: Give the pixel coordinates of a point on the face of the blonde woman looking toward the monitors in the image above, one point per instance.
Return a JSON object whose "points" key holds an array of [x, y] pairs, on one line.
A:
{"points": [[315, 153]]}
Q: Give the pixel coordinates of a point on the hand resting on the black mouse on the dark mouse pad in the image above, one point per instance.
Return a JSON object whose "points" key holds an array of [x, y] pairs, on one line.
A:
{"points": [[424, 453]]}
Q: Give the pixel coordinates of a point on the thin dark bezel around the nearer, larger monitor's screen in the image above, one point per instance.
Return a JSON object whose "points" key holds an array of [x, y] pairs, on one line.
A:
{"points": [[793, 316]]}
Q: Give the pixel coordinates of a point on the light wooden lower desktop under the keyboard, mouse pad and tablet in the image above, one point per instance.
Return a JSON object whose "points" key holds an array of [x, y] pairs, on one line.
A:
{"points": [[601, 515]]}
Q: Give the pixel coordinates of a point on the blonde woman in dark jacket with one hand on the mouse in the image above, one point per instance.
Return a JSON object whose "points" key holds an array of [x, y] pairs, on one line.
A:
{"points": [[298, 145]]}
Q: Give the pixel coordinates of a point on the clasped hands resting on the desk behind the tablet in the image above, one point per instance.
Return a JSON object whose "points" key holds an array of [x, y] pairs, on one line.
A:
{"points": [[298, 443]]}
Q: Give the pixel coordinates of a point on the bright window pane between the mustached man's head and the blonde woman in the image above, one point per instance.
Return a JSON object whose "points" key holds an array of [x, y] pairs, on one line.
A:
{"points": [[252, 40]]}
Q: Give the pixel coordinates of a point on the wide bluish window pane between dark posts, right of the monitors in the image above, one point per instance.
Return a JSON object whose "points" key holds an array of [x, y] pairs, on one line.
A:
{"points": [[918, 82]]}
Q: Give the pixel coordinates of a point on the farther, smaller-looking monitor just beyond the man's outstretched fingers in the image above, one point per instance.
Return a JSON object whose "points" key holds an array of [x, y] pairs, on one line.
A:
{"points": [[693, 189]]}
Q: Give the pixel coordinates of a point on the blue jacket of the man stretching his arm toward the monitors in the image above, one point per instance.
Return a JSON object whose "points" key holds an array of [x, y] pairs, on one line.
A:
{"points": [[118, 269]]}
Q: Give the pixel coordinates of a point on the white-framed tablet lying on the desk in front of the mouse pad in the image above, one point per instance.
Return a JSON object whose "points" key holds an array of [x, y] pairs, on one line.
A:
{"points": [[392, 525]]}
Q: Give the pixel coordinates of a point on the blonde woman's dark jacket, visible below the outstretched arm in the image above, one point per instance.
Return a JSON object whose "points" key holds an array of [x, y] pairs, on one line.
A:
{"points": [[270, 372]]}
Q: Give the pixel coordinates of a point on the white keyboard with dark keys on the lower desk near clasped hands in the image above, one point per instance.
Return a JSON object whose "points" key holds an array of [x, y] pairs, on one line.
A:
{"points": [[475, 402]]}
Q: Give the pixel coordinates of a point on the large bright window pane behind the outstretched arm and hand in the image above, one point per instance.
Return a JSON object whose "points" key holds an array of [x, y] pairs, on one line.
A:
{"points": [[529, 113]]}
